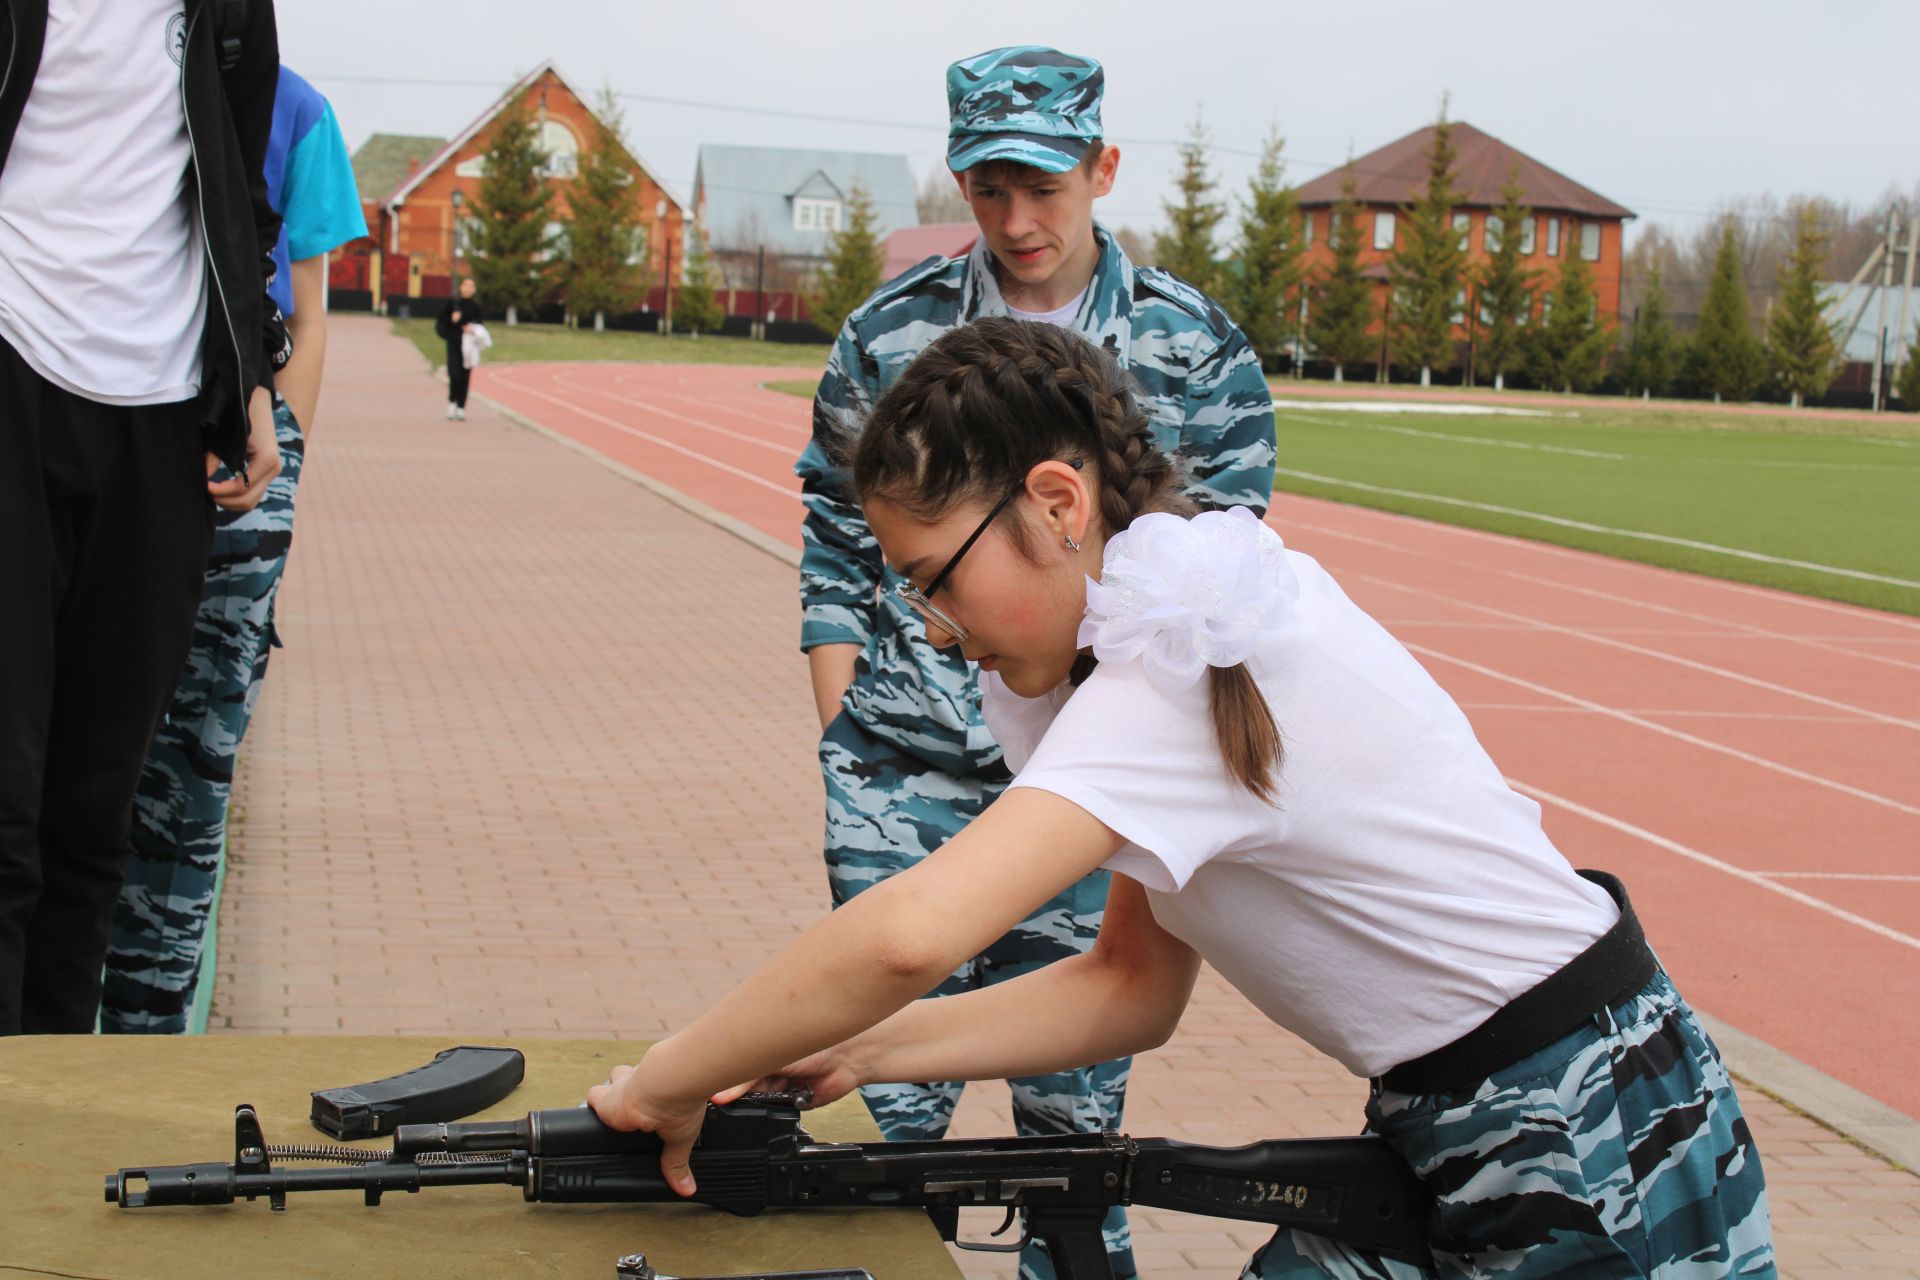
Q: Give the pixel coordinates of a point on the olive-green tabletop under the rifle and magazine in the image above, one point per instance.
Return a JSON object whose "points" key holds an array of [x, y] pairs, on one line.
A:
{"points": [[78, 1108]]}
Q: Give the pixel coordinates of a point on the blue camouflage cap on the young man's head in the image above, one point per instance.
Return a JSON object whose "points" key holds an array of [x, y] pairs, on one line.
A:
{"points": [[1028, 105]]}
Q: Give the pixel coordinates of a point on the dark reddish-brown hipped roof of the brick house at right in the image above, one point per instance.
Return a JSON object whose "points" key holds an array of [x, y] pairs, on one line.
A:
{"points": [[1395, 176]]}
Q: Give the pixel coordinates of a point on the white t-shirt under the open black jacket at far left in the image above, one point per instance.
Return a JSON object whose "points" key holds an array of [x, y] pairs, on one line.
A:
{"points": [[103, 272]]}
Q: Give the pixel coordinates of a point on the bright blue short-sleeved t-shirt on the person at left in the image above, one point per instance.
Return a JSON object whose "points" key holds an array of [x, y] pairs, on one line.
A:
{"points": [[310, 183]]}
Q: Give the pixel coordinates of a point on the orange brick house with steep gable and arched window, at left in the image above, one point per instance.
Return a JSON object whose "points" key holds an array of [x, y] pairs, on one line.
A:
{"points": [[412, 212]]}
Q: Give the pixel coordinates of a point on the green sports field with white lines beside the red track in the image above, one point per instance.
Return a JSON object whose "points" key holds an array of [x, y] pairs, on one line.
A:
{"points": [[1815, 506]]}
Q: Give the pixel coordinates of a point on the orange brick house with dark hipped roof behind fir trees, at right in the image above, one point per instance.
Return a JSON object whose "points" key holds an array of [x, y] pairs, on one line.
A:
{"points": [[1568, 218]]}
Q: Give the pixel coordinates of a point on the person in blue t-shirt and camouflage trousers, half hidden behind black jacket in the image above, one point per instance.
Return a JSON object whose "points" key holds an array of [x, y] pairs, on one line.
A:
{"points": [[180, 832]]}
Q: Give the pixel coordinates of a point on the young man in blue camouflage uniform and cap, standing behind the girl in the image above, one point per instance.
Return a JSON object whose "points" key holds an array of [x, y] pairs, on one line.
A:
{"points": [[905, 753]]}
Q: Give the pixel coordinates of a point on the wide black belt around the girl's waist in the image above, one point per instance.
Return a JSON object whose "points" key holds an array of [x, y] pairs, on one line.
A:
{"points": [[1600, 978]]}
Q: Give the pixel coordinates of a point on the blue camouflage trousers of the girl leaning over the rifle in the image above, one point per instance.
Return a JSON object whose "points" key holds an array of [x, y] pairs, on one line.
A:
{"points": [[1614, 1152]]}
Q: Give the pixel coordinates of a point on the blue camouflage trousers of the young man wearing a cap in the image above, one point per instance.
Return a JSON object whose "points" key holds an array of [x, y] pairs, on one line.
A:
{"points": [[886, 813]]}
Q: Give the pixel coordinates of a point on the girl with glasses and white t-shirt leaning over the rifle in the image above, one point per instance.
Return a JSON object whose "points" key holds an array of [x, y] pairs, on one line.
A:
{"points": [[1284, 792]]}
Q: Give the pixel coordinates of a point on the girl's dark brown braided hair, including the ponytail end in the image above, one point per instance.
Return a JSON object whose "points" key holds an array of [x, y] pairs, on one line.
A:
{"points": [[990, 402]]}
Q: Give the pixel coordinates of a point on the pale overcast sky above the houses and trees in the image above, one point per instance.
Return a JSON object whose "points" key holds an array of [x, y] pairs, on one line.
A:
{"points": [[1664, 107]]}
